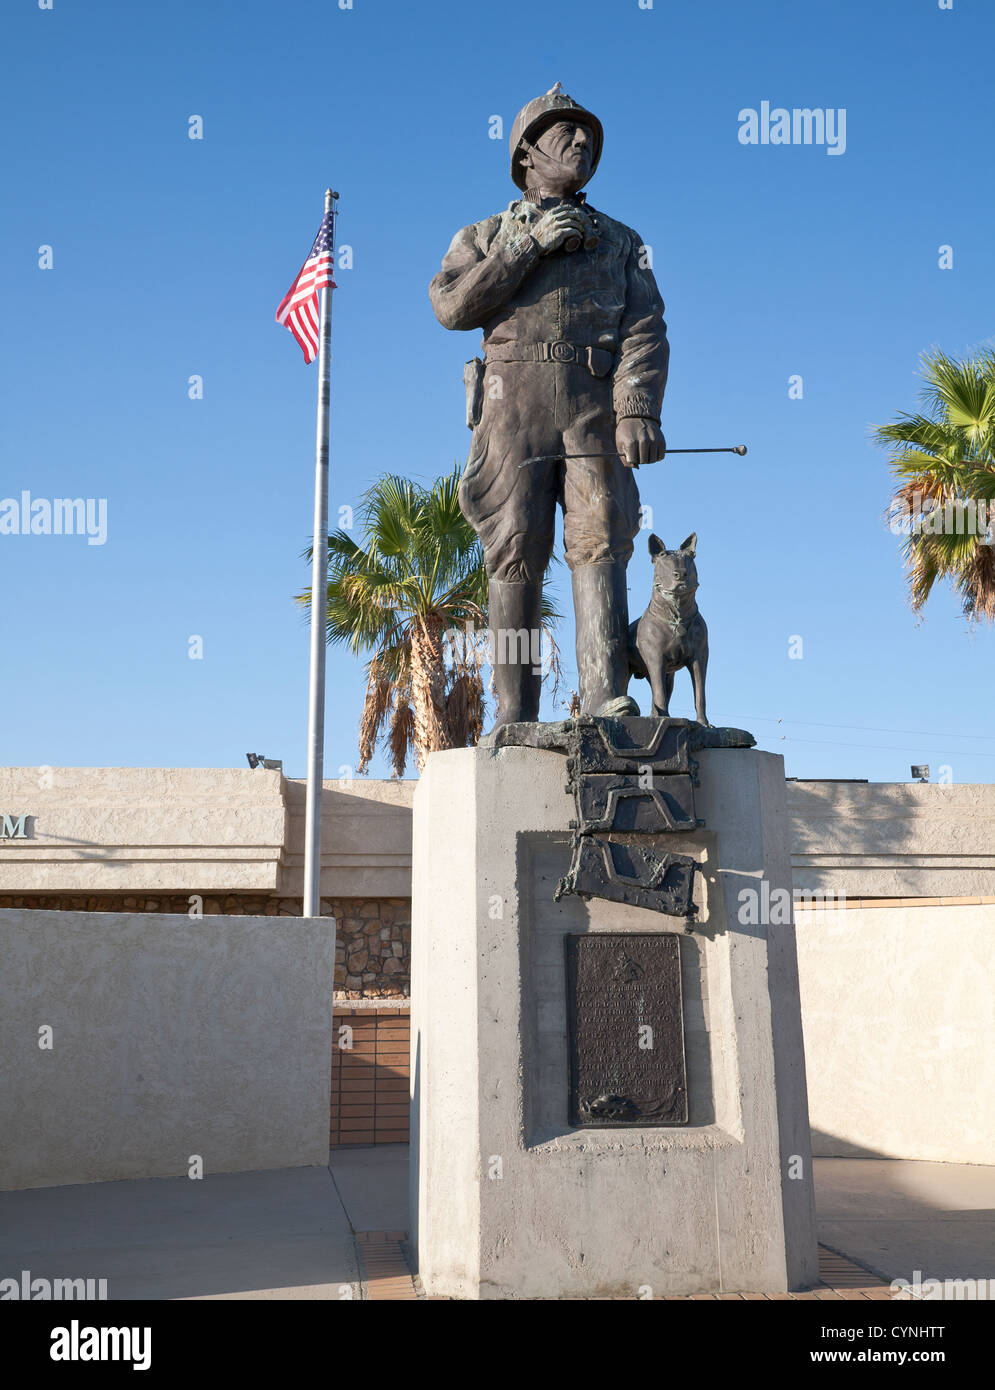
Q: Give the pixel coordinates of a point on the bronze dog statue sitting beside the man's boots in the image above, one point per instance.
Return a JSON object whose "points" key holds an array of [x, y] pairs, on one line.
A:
{"points": [[672, 633]]}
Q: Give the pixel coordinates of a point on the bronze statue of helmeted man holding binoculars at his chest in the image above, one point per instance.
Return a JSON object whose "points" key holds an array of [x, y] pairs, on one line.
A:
{"points": [[575, 370]]}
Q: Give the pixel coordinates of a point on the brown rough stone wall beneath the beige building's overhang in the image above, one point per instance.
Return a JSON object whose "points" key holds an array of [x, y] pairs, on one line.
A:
{"points": [[373, 940]]}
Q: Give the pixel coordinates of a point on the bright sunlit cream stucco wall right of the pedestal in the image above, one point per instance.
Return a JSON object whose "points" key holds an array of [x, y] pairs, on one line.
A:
{"points": [[898, 1010]]}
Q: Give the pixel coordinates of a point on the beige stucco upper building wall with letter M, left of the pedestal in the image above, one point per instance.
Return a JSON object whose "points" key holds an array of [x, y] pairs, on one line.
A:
{"points": [[208, 831]]}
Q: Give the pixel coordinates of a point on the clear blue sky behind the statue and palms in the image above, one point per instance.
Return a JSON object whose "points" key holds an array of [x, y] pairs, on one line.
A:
{"points": [[172, 255]]}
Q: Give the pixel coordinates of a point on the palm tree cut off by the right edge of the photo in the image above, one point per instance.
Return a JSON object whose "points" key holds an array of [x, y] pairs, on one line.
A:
{"points": [[944, 461]]}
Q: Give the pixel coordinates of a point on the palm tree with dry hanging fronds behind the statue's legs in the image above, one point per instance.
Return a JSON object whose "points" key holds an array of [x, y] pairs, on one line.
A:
{"points": [[413, 593]]}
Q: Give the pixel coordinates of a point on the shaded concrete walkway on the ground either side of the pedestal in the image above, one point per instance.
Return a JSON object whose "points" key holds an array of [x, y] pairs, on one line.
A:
{"points": [[337, 1234]]}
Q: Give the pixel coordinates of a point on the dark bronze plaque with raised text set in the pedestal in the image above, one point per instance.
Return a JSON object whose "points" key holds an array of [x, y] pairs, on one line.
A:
{"points": [[626, 1031]]}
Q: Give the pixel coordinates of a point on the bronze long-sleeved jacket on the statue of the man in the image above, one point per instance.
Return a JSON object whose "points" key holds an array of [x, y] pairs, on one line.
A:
{"points": [[495, 279]]}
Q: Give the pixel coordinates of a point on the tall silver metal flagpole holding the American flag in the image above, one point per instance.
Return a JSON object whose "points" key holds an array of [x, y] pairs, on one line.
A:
{"points": [[316, 686]]}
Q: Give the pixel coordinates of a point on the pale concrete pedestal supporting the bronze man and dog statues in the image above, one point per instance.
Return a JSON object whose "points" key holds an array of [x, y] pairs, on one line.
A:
{"points": [[509, 1200]]}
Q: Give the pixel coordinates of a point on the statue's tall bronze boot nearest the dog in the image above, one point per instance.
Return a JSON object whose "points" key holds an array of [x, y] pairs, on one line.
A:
{"points": [[601, 612]]}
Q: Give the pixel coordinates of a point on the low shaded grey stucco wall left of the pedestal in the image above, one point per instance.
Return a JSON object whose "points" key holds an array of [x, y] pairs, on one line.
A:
{"points": [[170, 1039]]}
